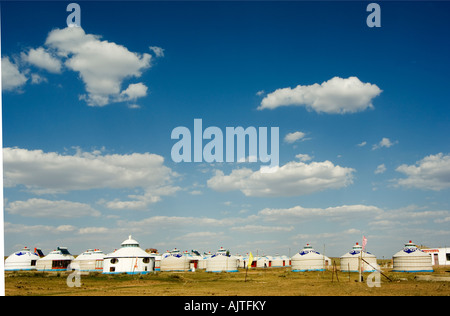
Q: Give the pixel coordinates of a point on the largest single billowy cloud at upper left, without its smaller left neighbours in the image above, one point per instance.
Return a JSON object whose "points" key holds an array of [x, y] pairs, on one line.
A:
{"points": [[102, 65]]}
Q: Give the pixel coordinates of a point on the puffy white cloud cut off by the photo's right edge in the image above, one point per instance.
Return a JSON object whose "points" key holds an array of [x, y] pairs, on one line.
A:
{"points": [[430, 173]]}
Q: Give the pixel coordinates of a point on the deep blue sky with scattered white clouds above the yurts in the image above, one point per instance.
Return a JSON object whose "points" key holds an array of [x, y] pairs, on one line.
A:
{"points": [[88, 114]]}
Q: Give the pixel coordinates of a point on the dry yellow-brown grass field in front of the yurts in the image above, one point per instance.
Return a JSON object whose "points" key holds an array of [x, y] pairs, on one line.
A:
{"points": [[260, 282]]}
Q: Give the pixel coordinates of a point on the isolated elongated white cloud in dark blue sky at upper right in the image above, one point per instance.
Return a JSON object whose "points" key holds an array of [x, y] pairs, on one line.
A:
{"points": [[337, 95]]}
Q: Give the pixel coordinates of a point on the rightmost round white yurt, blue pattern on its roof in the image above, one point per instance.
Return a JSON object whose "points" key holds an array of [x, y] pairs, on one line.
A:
{"points": [[412, 259]]}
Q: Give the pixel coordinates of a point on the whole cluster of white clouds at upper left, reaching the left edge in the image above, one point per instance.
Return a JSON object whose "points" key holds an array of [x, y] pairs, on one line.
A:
{"points": [[103, 66]]}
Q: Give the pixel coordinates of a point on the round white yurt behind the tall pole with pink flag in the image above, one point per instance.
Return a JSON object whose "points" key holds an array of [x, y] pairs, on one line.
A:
{"points": [[350, 261]]}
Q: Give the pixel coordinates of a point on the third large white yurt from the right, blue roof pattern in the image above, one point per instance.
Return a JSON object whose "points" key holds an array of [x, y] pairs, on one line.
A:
{"points": [[309, 260]]}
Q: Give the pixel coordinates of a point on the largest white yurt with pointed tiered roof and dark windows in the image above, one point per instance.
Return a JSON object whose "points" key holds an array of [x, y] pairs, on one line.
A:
{"points": [[130, 259]]}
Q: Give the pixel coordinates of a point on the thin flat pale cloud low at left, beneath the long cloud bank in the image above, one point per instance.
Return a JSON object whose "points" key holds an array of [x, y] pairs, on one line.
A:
{"points": [[50, 209]]}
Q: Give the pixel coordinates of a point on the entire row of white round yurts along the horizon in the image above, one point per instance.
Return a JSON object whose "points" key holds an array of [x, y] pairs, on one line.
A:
{"points": [[132, 259]]}
